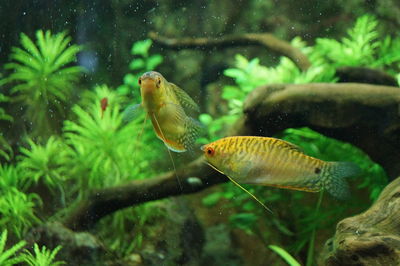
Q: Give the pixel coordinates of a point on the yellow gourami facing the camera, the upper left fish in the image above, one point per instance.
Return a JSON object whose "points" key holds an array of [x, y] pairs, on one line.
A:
{"points": [[167, 105]]}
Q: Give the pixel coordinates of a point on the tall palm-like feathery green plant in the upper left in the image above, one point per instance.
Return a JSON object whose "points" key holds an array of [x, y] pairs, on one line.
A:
{"points": [[43, 77]]}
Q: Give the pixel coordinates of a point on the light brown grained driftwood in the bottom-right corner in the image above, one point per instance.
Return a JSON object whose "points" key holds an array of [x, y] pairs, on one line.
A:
{"points": [[370, 238]]}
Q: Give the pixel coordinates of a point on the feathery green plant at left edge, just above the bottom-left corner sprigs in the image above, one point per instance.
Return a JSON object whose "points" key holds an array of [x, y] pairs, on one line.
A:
{"points": [[17, 210]]}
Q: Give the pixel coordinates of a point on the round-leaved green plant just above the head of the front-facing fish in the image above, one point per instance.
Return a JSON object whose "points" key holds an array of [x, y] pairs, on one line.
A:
{"points": [[143, 61]]}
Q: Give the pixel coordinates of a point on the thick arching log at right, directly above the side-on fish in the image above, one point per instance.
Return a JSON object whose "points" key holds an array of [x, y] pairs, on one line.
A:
{"points": [[367, 116]]}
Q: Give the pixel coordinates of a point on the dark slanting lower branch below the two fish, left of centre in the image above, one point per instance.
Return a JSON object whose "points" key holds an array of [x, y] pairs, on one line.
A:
{"points": [[194, 177]]}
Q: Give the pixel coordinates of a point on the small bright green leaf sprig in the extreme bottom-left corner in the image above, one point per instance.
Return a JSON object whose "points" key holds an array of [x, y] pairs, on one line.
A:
{"points": [[8, 257]]}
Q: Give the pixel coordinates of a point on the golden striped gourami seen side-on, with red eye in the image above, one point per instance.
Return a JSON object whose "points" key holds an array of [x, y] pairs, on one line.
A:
{"points": [[274, 162]]}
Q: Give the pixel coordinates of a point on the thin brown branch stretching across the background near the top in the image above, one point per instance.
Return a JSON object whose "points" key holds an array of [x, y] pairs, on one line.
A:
{"points": [[265, 40]]}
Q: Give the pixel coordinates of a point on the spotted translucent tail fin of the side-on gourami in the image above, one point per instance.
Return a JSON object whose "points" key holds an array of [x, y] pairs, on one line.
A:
{"points": [[333, 178]]}
